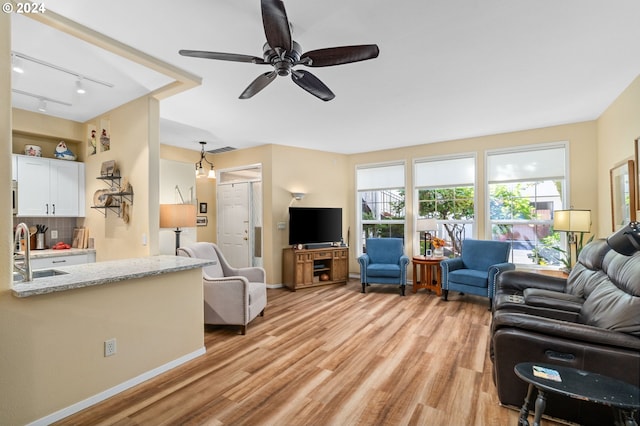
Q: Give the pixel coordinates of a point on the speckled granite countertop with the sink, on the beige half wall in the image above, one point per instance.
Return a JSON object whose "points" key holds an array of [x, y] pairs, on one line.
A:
{"points": [[100, 273]]}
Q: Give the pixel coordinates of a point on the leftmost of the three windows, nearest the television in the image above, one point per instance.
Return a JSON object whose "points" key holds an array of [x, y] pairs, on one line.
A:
{"points": [[381, 202]]}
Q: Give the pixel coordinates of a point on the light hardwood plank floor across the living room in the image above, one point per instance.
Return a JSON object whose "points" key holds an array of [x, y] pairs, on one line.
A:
{"points": [[330, 356]]}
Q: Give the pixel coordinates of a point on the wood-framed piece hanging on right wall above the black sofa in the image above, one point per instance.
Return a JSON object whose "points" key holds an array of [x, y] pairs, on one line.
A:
{"points": [[623, 194]]}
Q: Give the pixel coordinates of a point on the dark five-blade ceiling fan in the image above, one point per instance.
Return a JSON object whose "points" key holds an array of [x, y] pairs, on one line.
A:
{"points": [[283, 53]]}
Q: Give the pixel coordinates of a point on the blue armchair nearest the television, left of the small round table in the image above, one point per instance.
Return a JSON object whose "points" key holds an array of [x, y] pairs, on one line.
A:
{"points": [[384, 263]]}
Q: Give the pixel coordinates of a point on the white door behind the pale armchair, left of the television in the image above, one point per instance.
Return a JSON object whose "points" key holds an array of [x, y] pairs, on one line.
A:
{"points": [[233, 223]]}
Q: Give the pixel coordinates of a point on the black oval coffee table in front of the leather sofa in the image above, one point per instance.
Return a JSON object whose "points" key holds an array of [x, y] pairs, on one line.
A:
{"points": [[622, 397]]}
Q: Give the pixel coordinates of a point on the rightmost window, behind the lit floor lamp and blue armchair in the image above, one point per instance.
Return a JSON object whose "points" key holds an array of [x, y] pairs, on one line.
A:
{"points": [[524, 188]]}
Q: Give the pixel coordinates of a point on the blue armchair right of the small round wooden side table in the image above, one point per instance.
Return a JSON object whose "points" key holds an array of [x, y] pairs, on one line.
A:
{"points": [[476, 270]]}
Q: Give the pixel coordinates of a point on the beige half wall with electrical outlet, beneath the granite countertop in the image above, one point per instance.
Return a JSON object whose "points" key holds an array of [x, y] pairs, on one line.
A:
{"points": [[52, 345]]}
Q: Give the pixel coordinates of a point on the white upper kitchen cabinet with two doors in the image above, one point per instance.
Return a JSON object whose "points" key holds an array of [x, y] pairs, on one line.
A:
{"points": [[49, 187]]}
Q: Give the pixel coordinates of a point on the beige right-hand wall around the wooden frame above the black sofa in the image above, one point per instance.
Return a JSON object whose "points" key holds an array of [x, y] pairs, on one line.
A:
{"points": [[618, 128]]}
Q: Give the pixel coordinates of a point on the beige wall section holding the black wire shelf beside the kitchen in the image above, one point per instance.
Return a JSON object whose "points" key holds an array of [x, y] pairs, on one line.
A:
{"points": [[136, 151]]}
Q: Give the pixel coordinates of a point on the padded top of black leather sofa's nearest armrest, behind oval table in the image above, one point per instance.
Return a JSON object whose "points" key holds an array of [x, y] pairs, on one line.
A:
{"points": [[565, 330]]}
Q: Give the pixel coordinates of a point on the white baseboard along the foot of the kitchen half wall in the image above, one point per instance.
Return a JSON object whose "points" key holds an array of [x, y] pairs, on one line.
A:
{"points": [[78, 406]]}
